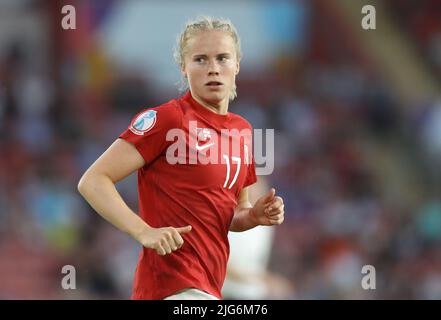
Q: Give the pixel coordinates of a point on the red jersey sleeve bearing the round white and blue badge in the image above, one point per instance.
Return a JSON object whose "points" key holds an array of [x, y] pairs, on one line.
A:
{"points": [[148, 130]]}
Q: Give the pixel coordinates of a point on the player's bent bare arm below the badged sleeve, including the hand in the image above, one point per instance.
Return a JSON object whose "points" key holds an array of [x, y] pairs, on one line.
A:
{"points": [[97, 186]]}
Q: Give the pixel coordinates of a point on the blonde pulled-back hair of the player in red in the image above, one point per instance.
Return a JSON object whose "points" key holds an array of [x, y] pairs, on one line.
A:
{"points": [[202, 24]]}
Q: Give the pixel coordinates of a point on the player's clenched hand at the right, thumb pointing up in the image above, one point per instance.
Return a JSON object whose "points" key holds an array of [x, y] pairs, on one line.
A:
{"points": [[269, 209]]}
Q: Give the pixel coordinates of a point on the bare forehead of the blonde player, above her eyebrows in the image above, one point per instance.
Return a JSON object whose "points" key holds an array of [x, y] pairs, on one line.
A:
{"points": [[210, 42]]}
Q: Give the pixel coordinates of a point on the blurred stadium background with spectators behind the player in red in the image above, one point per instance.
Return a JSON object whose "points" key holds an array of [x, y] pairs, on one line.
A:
{"points": [[357, 116]]}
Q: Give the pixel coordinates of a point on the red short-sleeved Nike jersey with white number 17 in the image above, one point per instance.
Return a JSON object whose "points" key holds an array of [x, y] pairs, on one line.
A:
{"points": [[175, 190]]}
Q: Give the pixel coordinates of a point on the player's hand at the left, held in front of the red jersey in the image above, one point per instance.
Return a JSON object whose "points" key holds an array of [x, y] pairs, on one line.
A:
{"points": [[163, 240]]}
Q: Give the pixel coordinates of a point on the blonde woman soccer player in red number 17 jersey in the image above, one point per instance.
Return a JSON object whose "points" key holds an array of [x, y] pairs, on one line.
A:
{"points": [[188, 201]]}
